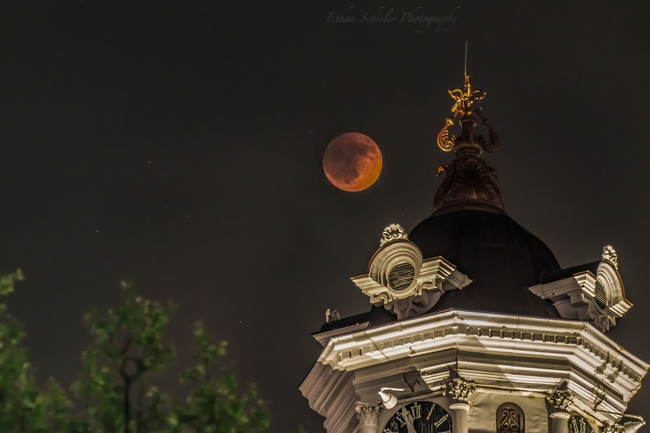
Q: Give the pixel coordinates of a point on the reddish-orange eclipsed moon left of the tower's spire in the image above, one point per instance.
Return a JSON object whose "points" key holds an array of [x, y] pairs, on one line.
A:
{"points": [[352, 162]]}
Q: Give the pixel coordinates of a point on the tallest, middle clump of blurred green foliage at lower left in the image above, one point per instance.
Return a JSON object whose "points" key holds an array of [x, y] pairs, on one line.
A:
{"points": [[128, 345]]}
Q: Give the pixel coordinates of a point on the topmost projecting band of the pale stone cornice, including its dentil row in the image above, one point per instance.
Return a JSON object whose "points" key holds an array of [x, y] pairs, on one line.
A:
{"points": [[417, 335]]}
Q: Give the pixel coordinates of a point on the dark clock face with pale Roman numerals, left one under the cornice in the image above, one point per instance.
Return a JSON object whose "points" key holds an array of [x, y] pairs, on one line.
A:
{"points": [[419, 417]]}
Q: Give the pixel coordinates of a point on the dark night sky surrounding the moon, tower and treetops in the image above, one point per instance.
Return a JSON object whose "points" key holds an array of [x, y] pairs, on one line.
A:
{"points": [[179, 144]]}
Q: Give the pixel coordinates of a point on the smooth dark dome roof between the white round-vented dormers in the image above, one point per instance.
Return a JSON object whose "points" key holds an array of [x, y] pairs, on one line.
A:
{"points": [[502, 258]]}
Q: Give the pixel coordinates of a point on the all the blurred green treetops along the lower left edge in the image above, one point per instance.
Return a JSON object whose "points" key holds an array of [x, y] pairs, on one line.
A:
{"points": [[128, 346]]}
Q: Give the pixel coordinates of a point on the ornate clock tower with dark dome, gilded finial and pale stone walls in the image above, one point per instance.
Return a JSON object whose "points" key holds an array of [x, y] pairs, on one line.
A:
{"points": [[474, 327]]}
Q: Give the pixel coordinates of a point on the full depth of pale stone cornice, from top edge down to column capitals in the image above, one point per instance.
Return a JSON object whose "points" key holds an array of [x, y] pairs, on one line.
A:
{"points": [[531, 354]]}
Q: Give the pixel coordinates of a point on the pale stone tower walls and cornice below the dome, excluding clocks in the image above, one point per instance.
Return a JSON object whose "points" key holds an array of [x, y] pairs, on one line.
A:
{"points": [[506, 359]]}
